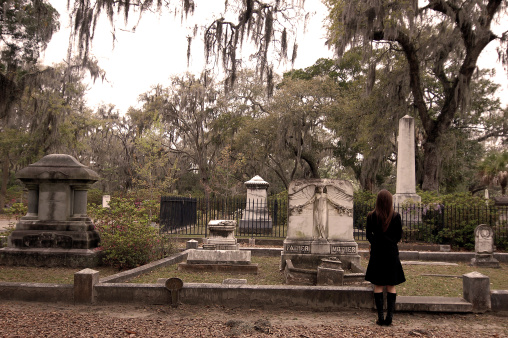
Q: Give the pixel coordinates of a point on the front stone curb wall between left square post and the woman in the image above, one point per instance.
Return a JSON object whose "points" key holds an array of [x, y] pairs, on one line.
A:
{"points": [[273, 296]]}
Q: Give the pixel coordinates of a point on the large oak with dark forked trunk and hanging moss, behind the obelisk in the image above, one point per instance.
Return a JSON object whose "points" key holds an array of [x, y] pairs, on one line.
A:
{"points": [[441, 40]]}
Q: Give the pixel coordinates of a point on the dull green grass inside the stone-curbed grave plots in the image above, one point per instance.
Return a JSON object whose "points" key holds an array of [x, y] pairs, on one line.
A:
{"points": [[418, 283]]}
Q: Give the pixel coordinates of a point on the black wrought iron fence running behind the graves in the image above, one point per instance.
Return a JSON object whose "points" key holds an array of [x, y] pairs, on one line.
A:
{"points": [[432, 223]]}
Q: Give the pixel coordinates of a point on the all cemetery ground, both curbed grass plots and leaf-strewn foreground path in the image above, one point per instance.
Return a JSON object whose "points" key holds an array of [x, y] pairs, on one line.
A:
{"points": [[21, 319]]}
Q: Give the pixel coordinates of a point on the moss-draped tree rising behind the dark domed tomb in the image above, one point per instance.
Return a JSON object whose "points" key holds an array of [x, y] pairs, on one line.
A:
{"points": [[50, 117]]}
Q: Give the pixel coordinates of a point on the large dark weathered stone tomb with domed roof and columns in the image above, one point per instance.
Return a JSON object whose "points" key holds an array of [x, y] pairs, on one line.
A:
{"points": [[56, 230]]}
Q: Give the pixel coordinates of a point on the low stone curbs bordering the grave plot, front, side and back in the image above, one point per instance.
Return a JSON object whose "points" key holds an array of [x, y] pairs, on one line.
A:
{"points": [[112, 289]]}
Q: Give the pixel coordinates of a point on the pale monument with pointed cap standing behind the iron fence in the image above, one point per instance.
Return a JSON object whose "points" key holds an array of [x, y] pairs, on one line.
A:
{"points": [[256, 218]]}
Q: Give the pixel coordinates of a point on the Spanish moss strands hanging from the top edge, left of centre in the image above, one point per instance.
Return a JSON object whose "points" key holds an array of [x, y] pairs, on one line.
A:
{"points": [[270, 26]]}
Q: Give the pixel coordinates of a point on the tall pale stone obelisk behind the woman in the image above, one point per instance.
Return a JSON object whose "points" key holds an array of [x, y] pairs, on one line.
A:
{"points": [[406, 181]]}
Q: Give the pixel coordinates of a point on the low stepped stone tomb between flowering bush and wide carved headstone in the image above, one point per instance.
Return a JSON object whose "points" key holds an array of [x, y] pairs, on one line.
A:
{"points": [[220, 252]]}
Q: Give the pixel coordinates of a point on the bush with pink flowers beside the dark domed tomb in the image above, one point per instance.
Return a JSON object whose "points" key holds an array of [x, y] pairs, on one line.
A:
{"points": [[128, 238]]}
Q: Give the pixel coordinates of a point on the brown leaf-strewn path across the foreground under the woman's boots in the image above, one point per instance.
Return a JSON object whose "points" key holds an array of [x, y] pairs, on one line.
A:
{"points": [[19, 319]]}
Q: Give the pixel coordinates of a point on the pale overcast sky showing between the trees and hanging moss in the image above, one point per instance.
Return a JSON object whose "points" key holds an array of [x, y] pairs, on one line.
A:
{"points": [[158, 49]]}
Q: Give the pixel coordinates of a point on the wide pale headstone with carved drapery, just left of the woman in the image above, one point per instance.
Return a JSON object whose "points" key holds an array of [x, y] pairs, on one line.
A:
{"points": [[320, 224]]}
